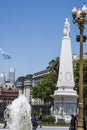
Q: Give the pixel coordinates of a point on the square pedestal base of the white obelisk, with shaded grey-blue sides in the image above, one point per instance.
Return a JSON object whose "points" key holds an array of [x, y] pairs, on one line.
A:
{"points": [[65, 104]]}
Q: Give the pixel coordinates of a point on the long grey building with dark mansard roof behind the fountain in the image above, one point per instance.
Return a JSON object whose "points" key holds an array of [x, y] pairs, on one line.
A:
{"points": [[25, 83]]}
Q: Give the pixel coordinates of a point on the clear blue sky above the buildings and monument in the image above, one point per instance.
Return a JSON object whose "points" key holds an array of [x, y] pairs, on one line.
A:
{"points": [[31, 31]]}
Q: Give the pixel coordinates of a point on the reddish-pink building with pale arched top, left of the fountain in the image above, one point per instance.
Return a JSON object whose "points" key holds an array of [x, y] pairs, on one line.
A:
{"points": [[7, 95]]}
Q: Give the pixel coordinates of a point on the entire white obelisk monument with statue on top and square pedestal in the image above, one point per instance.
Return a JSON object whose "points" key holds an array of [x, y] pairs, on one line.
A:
{"points": [[65, 96]]}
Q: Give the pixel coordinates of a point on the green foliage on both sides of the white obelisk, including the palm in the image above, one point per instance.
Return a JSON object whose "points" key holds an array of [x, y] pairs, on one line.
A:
{"points": [[47, 87]]}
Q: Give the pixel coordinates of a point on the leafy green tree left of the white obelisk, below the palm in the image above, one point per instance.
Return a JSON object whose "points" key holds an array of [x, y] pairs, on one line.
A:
{"points": [[46, 88]]}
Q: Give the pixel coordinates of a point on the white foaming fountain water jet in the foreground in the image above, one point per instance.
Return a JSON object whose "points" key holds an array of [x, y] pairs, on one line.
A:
{"points": [[18, 114]]}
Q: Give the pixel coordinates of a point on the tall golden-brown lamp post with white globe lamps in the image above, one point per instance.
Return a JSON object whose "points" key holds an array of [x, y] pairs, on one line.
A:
{"points": [[80, 18]]}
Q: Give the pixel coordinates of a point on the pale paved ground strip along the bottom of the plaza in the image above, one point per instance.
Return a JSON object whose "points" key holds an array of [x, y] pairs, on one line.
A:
{"points": [[43, 128]]}
